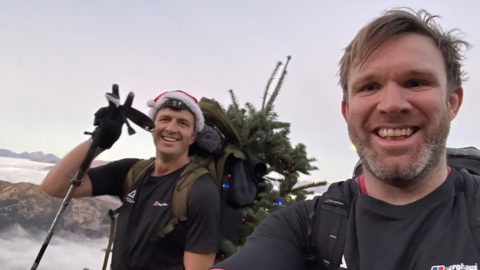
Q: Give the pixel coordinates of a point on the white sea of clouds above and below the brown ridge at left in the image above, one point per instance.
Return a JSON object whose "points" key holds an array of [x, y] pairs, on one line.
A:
{"points": [[19, 248]]}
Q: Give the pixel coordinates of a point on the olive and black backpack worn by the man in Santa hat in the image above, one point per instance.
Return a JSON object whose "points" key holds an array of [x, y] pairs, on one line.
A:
{"points": [[236, 173]]}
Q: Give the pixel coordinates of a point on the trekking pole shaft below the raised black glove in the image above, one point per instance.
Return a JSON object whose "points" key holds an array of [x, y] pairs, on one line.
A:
{"points": [[75, 182]]}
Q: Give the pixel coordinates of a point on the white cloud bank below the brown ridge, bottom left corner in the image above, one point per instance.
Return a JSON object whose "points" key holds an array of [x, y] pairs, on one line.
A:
{"points": [[19, 248]]}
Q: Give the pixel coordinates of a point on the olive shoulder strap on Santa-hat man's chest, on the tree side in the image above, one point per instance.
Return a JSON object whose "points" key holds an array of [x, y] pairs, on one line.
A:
{"points": [[180, 196]]}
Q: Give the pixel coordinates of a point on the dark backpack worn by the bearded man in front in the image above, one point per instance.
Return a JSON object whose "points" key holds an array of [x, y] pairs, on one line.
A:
{"points": [[327, 229]]}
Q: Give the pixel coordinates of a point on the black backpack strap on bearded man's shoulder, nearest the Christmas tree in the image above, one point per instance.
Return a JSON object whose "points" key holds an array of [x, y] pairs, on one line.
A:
{"points": [[330, 225]]}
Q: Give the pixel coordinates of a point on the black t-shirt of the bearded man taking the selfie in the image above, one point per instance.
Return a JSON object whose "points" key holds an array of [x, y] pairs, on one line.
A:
{"points": [[431, 232]]}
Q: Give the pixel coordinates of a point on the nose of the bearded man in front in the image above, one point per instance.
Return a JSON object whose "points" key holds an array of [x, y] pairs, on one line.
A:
{"points": [[393, 99]]}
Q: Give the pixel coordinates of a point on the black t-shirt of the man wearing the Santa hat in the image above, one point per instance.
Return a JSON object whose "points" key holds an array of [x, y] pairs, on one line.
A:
{"points": [[147, 208]]}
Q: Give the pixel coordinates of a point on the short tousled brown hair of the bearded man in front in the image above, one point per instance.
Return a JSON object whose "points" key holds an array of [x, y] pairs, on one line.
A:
{"points": [[397, 22]]}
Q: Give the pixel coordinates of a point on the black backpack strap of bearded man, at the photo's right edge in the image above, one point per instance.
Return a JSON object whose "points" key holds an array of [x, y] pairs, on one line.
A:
{"points": [[471, 186]]}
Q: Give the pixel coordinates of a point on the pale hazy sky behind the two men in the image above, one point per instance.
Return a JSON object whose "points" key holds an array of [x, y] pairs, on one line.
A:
{"points": [[59, 58]]}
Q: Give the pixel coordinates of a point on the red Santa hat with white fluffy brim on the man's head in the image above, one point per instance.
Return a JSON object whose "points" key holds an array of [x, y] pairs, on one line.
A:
{"points": [[187, 99]]}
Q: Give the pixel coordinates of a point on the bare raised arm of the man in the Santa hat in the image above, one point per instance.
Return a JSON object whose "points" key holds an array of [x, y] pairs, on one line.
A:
{"points": [[57, 181]]}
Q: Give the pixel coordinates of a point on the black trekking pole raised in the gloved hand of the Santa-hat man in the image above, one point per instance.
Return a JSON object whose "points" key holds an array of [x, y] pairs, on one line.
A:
{"points": [[127, 112]]}
